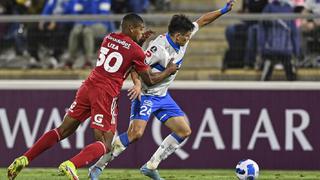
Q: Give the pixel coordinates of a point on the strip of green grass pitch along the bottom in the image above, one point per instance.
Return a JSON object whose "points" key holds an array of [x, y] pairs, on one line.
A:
{"points": [[134, 174]]}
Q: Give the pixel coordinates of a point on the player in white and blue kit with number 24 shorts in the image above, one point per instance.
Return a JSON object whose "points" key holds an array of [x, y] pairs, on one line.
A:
{"points": [[156, 99]]}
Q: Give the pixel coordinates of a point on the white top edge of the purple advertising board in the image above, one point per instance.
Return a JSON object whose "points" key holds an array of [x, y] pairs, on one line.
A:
{"points": [[185, 85]]}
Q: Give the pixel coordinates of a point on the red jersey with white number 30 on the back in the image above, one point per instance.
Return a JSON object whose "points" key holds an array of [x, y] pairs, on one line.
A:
{"points": [[118, 54]]}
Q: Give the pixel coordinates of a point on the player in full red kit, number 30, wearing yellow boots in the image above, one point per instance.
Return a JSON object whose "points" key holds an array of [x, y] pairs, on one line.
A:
{"points": [[97, 98]]}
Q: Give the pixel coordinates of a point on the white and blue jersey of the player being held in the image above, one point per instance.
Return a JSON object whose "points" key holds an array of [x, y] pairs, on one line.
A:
{"points": [[158, 55]]}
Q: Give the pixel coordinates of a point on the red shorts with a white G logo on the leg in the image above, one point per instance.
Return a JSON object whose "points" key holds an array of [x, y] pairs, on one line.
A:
{"points": [[95, 102]]}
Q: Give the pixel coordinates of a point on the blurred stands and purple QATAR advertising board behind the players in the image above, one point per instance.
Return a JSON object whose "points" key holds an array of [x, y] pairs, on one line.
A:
{"points": [[234, 114]]}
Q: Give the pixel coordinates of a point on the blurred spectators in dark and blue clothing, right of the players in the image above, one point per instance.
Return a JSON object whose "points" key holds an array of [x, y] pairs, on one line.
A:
{"points": [[263, 44]]}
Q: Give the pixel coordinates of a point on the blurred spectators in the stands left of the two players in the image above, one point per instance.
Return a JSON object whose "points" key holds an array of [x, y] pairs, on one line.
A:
{"points": [[29, 39]]}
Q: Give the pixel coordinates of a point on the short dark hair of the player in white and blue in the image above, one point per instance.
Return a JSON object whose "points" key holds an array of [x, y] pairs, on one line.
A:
{"points": [[180, 23]]}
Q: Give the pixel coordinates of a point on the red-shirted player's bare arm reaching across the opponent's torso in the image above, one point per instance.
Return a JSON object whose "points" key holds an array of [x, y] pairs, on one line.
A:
{"points": [[150, 78]]}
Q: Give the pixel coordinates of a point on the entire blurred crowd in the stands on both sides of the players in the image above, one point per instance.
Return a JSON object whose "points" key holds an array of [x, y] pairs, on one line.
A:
{"points": [[252, 44]]}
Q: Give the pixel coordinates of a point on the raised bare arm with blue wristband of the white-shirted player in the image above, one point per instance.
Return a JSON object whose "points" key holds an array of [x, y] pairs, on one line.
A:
{"points": [[211, 16]]}
